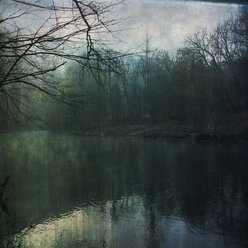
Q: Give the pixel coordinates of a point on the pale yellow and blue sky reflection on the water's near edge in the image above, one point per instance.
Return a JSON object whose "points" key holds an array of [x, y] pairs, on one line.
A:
{"points": [[94, 226]]}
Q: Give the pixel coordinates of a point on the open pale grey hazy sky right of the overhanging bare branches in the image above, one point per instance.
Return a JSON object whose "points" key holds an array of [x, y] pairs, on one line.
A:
{"points": [[169, 22]]}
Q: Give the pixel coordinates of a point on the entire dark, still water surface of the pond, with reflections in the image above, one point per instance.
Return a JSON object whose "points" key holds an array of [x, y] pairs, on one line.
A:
{"points": [[68, 191]]}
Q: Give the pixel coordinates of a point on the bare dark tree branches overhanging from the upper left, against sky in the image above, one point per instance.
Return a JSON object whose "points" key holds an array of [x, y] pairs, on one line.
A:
{"points": [[37, 38]]}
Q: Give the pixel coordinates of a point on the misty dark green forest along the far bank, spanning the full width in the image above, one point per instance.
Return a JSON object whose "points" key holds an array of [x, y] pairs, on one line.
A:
{"points": [[201, 89]]}
